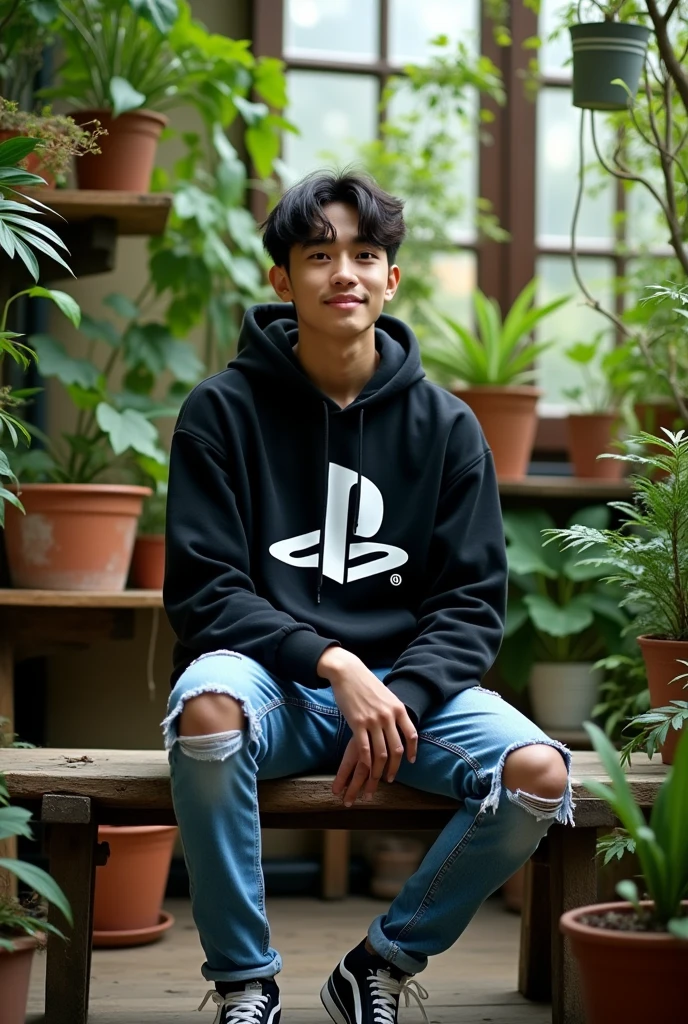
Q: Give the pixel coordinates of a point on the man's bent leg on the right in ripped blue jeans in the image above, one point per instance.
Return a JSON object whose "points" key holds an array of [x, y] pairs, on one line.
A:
{"points": [[513, 783]]}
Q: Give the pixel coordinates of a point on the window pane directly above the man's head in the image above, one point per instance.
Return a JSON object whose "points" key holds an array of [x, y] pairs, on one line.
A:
{"points": [[334, 112]]}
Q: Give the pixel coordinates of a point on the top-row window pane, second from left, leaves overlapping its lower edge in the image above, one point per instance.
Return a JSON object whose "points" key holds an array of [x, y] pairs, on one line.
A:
{"points": [[414, 23]]}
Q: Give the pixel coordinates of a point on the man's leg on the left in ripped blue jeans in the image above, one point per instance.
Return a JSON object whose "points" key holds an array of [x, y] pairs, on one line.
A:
{"points": [[229, 723]]}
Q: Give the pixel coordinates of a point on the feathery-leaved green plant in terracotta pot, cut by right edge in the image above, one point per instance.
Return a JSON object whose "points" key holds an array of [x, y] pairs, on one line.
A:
{"points": [[648, 556]]}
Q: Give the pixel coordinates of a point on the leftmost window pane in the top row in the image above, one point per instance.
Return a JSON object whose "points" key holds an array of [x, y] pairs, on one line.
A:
{"points": [[338, 30]]}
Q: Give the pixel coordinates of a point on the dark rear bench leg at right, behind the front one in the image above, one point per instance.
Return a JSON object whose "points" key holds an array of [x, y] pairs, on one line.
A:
{"points": [[535, 969]]}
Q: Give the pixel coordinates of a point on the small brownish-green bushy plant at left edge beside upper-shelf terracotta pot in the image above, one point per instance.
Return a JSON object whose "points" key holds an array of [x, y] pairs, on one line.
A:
{"points": [[59, 139]]}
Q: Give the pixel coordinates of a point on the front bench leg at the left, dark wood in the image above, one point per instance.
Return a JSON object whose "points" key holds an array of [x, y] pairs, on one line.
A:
{"points": [[72, 851]]}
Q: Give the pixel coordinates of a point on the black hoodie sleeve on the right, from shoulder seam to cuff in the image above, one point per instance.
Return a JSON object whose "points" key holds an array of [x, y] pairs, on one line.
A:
{"points": [[461, 618]]}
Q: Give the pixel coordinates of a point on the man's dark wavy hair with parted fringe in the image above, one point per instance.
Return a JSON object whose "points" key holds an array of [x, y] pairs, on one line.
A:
{"points": [[298, 218]]}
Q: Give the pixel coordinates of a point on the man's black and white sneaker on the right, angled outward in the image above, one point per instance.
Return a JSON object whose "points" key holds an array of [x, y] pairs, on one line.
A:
{"points": [[366, 989]]}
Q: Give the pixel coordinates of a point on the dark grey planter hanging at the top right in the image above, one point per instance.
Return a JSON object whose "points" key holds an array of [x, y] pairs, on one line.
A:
{"points": [[605, 52]]}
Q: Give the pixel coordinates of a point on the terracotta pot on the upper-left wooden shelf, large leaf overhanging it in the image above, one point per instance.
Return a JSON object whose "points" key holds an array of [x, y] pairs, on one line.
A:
{"points": [[127, 152]]}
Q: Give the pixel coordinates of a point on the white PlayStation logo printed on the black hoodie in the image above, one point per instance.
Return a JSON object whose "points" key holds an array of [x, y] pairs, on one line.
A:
{"points": [[335, 558]]}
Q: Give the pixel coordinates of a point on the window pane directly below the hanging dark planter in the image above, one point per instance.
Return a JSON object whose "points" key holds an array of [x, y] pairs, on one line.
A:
{"points": [[557, 176]]}
